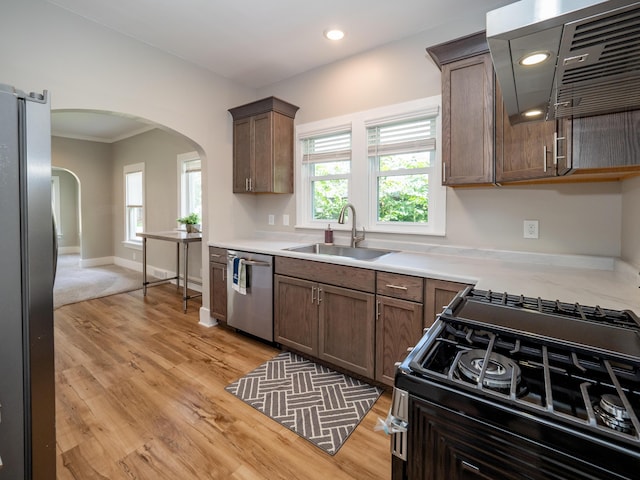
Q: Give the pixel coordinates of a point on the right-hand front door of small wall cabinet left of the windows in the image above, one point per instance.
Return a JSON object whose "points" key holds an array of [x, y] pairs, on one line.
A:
{"points": [[262, 168]]}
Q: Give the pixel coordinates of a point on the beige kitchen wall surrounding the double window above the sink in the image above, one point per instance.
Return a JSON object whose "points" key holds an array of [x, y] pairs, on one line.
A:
{"points": [[583, 218]]}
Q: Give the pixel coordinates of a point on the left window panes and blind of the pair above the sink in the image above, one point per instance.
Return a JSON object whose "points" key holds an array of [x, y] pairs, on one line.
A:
{"points": [[327, 162]]}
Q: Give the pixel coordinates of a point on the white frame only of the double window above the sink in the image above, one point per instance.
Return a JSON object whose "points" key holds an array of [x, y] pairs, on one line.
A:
{"points": [[361, 193]]}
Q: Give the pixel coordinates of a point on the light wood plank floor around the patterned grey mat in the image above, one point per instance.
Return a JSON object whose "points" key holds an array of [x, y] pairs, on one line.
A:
{"points": [[140, 395]]}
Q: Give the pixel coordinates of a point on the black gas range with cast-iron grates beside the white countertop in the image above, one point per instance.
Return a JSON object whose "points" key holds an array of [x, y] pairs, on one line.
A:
{"points": [[509, 387]]}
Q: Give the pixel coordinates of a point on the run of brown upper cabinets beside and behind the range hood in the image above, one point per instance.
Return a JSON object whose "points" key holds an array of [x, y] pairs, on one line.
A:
{"points": [[481, 147]]}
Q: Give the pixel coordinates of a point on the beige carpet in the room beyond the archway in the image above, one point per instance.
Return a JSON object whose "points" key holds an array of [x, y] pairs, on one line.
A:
{"points": [[74, 284]]}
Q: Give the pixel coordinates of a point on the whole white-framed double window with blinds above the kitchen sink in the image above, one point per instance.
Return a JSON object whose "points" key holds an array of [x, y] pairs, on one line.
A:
{"points": [[384, 161]]}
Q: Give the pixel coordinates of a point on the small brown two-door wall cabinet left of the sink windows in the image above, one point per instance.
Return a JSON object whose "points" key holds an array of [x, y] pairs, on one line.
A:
{"points": [[263, 146]]}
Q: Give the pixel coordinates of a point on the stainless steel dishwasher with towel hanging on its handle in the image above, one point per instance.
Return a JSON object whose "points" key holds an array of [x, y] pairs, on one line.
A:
{"points": [[251, 312]]}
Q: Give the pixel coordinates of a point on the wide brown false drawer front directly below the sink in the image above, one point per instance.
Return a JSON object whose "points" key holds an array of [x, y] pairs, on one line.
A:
{"points": [[340, 275]]}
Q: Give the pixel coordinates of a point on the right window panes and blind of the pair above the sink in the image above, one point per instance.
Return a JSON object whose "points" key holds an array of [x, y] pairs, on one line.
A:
{"points": [[401, 154]]}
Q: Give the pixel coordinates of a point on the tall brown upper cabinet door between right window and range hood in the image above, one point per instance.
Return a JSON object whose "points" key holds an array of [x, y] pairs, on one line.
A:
{"points": [[467, 121]]}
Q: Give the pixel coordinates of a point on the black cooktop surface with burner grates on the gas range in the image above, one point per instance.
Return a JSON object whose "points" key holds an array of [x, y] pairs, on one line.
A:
{"points": [[546, 379]]}
